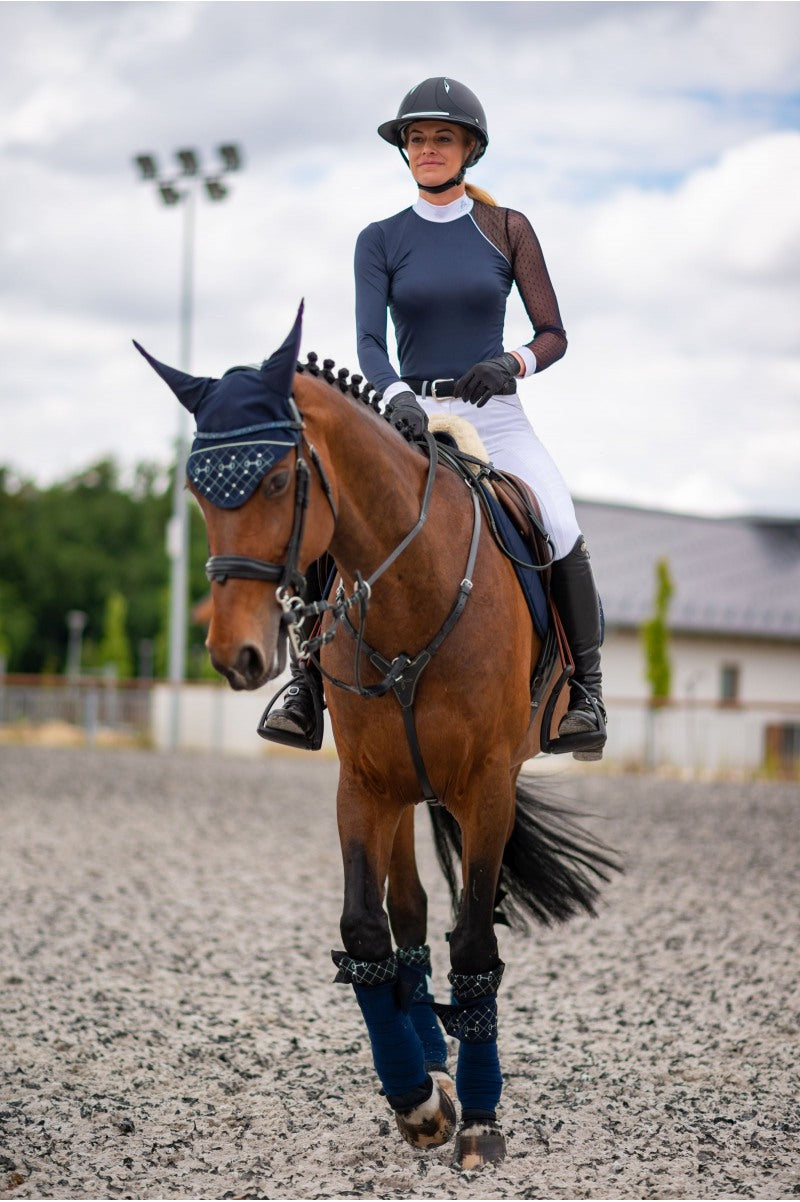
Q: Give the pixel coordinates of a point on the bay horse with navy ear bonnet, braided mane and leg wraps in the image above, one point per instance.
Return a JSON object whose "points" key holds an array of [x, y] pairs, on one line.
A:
{"points": [[428, 652]]}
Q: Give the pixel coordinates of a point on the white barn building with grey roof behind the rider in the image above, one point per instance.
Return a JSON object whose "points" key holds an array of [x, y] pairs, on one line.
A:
{"points": [[735, 638]]}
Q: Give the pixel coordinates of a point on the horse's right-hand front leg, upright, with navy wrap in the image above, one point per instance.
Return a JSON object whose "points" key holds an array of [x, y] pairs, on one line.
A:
{"points": [[476, 974]]}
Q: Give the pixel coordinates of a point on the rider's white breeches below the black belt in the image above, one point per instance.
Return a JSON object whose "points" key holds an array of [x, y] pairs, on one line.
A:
{"points": [[512, 445]]}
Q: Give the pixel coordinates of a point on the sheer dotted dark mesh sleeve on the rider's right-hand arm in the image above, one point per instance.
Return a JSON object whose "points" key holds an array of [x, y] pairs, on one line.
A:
{"points": [[514, 236]]}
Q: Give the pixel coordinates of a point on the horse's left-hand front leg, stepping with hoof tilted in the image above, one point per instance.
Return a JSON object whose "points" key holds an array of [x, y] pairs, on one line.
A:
{"points": [[367, 829]]}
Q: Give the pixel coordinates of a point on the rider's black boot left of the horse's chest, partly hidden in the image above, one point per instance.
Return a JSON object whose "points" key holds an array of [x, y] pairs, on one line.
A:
{"points": [[298, 722]]}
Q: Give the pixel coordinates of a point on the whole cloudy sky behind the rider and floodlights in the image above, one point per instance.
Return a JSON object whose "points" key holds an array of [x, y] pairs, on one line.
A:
{"points": [[655, 148]]}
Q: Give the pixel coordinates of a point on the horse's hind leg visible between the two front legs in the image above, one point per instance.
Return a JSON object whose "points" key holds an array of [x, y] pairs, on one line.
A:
{"points": [[408, 906]]}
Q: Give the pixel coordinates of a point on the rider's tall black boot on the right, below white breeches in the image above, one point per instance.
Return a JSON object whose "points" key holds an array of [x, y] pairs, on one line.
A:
{"points": [[578, 605]]}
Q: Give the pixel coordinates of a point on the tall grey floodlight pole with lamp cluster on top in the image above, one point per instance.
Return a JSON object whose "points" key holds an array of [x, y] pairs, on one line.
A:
{"points": [[192, 175]]}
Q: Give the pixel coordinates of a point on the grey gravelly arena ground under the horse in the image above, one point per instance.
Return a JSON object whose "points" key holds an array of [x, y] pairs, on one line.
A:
{"points": [[170, 1028]]}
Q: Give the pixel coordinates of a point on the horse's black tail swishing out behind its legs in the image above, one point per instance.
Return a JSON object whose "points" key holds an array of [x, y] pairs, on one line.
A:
{"points": [[551, 870]]}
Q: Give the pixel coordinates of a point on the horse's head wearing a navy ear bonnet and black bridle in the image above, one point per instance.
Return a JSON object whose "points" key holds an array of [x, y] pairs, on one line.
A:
{"points": [[250, 478]]}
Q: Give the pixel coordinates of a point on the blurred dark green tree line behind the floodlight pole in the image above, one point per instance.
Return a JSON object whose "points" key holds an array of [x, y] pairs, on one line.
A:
{"points": [[73, 545]]}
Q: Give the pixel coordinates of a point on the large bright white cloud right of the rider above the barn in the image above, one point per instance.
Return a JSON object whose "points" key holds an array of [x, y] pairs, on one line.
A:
{"points": [[682, 386]]}
